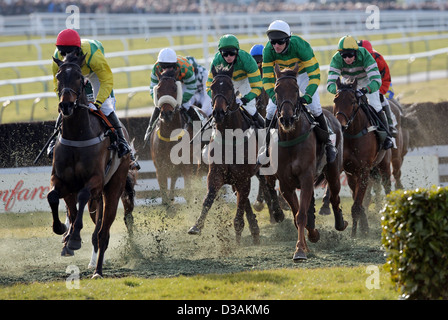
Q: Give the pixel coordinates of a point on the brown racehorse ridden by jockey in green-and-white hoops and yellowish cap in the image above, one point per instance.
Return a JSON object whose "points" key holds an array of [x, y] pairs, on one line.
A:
{"points": [[362, 150]]}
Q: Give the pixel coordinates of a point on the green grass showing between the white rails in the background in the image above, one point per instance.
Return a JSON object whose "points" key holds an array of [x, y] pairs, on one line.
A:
{"points": [[46, 109]]}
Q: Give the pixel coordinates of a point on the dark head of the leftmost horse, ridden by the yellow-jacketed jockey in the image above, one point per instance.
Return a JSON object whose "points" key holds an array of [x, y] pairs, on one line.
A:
{"points": [[70, 83]]}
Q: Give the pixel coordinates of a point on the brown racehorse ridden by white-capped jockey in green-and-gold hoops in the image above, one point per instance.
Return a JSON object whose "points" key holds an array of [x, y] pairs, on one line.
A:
{"points": [[302, 161]]}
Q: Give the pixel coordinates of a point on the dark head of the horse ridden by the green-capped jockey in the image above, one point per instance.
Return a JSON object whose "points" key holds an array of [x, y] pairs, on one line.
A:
{"points": [[223, 93]]}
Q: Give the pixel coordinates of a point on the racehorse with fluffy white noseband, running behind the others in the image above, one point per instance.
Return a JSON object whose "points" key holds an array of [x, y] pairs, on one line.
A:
{"points": [[171, 128]]}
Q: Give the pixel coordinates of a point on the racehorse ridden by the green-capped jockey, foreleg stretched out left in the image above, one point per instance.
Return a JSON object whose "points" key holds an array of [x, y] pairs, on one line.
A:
{"points": [[229, 117]]}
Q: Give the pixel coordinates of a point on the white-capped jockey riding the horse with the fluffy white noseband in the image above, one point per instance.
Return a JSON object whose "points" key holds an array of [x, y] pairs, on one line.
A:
{"points": [[168, 59]]}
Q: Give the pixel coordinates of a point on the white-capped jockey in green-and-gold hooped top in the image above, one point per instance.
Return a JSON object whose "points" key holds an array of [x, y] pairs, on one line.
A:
{"points": [[286, 50]]}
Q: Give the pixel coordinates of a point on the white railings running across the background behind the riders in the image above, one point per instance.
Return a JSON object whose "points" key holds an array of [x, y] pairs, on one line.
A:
{"points": [[125, 28]]}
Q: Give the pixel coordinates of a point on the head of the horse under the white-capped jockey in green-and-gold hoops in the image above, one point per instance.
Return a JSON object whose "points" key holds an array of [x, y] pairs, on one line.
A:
{"points": [[287, 94]]}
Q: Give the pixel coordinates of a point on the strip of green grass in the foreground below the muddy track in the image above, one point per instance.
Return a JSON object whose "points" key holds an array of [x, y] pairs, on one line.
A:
{"points": [[348, 283]]}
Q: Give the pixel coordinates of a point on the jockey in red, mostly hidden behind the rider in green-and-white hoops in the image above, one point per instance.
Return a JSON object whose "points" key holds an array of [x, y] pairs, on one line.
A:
{"points": [[385, 81]]}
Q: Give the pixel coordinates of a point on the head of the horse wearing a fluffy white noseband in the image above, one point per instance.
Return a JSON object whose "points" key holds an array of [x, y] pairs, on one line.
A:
{"points": [[168, 93]]}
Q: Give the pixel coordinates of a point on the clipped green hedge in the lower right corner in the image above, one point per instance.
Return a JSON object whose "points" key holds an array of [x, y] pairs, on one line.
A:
{"points": [[415, 237]]}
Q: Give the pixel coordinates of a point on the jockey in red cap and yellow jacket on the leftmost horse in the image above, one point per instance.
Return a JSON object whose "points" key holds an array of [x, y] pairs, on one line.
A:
{"points": [[97, 71]]}
